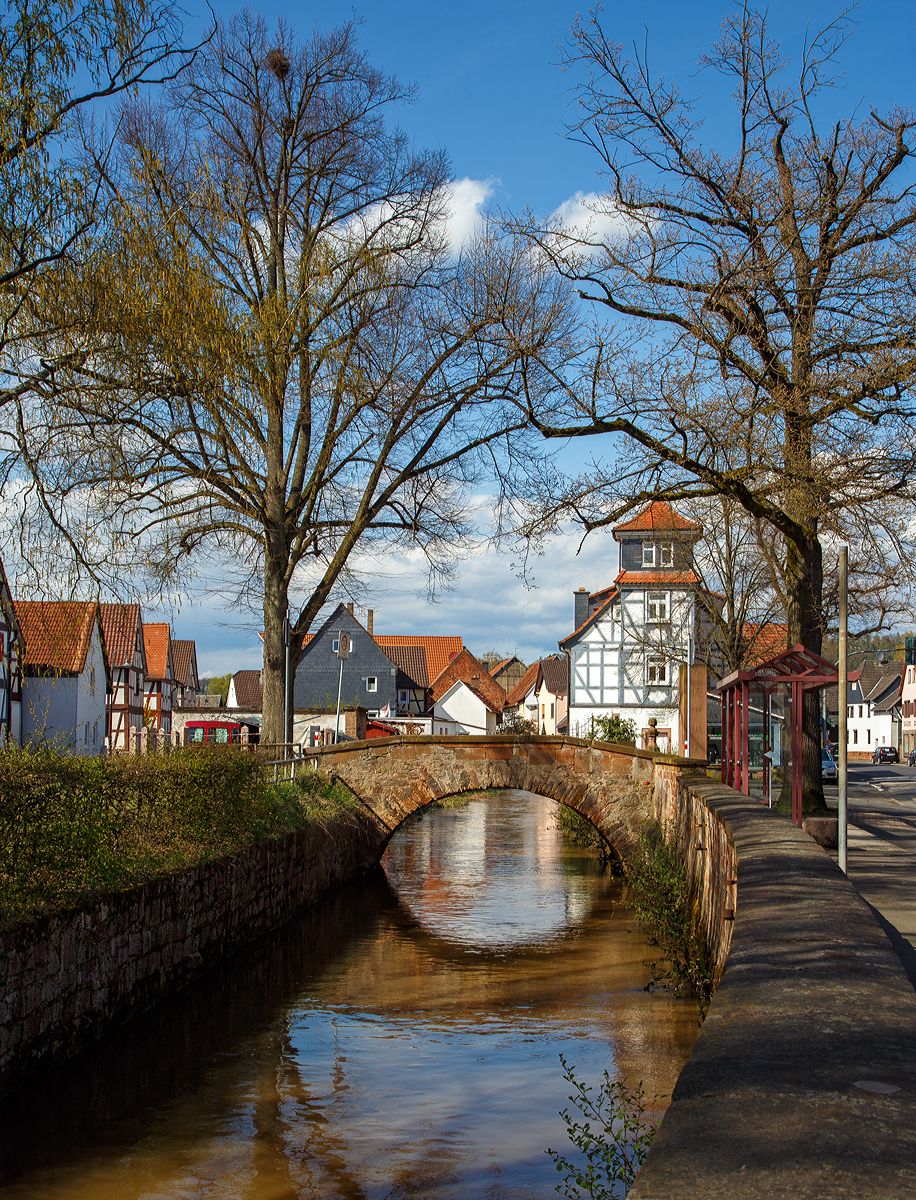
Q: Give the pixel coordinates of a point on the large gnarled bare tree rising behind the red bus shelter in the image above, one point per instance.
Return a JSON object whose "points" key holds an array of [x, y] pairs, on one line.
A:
{"points": [[762, 341]]}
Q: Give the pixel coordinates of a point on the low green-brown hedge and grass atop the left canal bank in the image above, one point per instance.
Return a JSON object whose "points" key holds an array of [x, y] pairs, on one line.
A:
{"points": [[74, 827]]}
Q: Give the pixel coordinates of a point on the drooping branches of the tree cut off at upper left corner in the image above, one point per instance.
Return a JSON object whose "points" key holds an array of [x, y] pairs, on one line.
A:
{"points": [[61, 63]]}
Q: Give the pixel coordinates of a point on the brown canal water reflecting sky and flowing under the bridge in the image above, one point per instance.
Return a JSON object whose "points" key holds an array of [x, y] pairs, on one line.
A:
{"points": [[398, 1042]]}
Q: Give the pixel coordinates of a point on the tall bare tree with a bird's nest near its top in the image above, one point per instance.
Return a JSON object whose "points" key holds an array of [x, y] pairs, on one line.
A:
{"points": [[277, 357]]}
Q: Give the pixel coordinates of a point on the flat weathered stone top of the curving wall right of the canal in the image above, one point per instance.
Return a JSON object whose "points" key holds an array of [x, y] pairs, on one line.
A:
{"points": [[803, 1082]]}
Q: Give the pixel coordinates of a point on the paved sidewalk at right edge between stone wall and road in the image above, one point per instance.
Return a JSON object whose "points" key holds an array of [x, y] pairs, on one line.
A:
{"points": [[884, 873]]}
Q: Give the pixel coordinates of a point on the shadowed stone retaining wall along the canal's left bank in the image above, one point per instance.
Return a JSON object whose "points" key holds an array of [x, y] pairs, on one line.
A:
{"points": [[71, 976]]}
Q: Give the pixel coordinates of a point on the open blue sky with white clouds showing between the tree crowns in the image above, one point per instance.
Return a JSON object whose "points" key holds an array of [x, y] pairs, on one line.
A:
{"points": [[492, 94]]}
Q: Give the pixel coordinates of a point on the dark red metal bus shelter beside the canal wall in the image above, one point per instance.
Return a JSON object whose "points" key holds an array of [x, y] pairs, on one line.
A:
{"points": [[759, 707]]}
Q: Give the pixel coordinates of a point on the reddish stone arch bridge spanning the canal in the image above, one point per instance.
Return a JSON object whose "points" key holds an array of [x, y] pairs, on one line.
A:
{"points": [[614, 788]]}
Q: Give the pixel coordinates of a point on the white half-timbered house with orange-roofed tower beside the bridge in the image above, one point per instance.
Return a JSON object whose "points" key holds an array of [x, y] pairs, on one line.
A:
{"points": [[631, 638]]}
